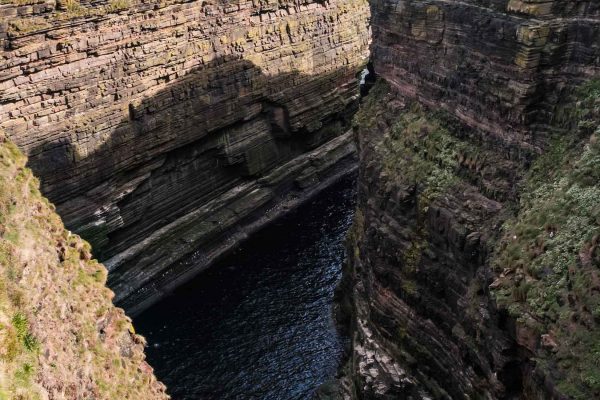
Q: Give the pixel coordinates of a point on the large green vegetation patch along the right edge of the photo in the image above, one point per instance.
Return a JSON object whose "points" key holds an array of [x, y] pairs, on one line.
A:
{"points": [[549, 255]]}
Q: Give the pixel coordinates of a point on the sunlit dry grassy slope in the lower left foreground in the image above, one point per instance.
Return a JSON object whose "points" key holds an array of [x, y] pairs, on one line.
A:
{"points": [[60, 335]]}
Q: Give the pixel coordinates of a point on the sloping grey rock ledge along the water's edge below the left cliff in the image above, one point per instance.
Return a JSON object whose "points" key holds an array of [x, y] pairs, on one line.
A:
{"points": [[138, 274]]}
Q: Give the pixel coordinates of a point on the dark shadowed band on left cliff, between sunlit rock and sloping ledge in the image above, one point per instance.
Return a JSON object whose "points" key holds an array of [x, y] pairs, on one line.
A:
{"points": [[199, 135]]}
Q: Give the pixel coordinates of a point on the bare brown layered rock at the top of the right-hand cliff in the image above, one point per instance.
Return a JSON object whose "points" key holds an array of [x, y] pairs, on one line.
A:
{"points": [[499, 66]]}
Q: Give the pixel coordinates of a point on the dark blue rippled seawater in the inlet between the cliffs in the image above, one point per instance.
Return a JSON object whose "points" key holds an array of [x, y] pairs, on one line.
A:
{"points": [[258, 325]]}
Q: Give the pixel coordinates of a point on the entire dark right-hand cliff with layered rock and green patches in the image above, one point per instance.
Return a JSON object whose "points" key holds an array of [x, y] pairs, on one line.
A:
{"points": [[467, 275]]}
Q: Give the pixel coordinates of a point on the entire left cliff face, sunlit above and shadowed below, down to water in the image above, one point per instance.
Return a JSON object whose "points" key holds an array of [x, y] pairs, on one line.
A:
{"points": [[158, 128]]}
